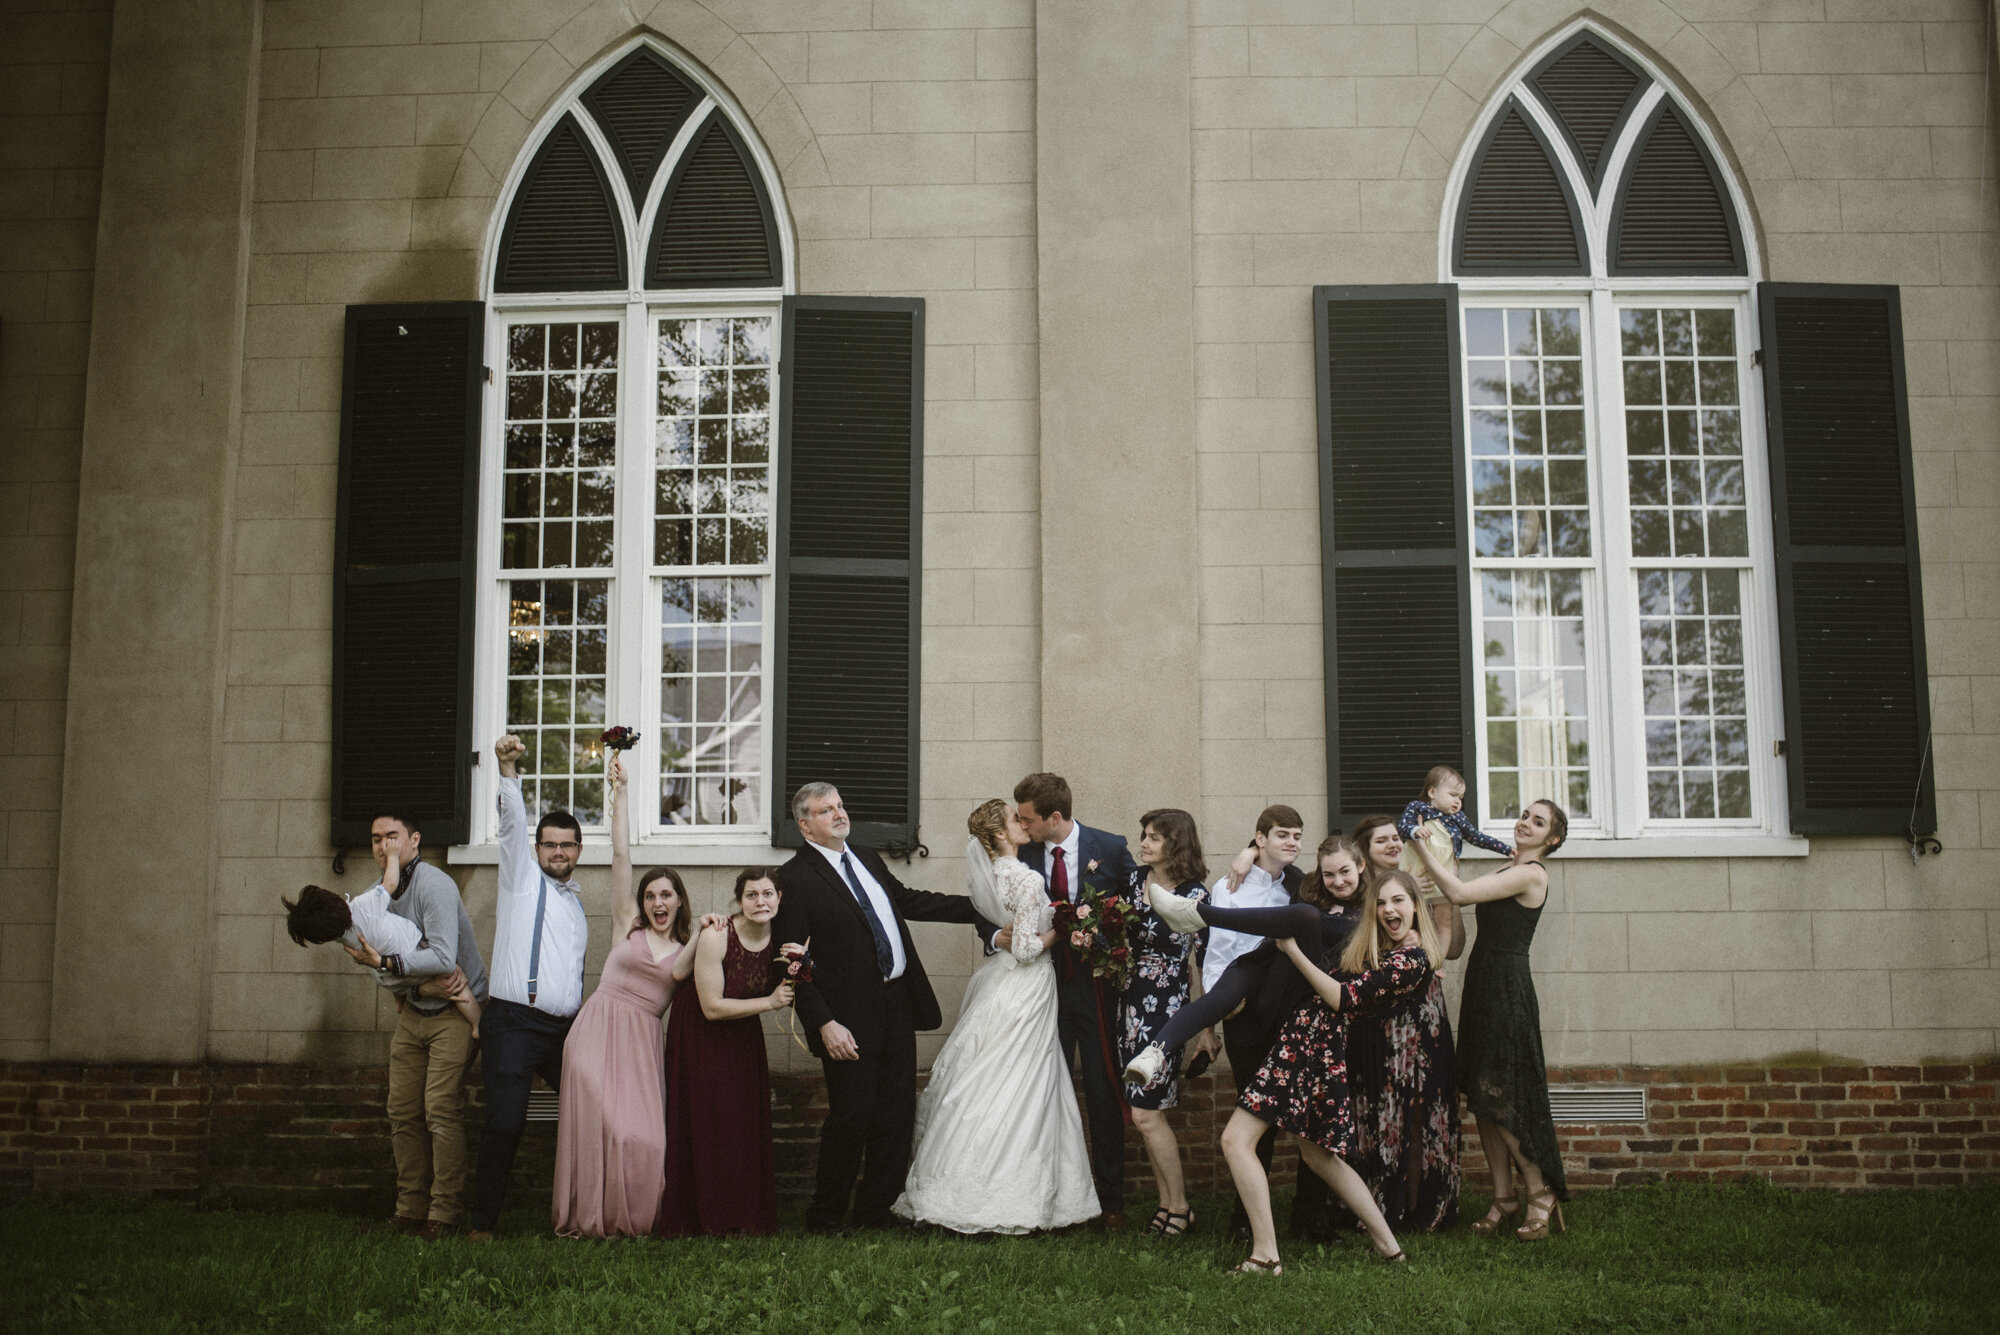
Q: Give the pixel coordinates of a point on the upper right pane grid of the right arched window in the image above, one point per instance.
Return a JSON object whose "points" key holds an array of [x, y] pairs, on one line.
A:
{"points": [[1683, 419]]}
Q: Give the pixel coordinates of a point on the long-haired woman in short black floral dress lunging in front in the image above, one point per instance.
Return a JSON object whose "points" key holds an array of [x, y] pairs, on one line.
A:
{"points": [[1305, 1082]]}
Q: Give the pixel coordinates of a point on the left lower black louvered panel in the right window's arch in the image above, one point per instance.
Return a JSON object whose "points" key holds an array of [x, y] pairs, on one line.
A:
{"points": [[1519, 215]]}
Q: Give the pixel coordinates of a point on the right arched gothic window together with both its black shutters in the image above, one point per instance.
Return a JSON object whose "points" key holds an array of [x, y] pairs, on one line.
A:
{"points": [[1615, 575]]}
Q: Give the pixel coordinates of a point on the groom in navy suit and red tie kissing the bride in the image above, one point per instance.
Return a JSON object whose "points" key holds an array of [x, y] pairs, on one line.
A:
{"points": [[1073, 856]]}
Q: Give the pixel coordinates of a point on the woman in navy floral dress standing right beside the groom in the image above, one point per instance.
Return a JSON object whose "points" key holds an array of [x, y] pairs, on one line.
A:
{"points": [[1163, 974]]}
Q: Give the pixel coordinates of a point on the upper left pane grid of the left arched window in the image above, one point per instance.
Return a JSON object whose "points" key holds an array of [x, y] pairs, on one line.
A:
{"points": [[561, 451]]}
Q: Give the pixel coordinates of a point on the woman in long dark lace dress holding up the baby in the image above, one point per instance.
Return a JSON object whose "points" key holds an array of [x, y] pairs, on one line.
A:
{"points": [[1501, 1062]]}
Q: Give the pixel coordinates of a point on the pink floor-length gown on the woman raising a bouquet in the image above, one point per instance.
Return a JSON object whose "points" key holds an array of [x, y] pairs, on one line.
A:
{"points": [[611, 1140]]}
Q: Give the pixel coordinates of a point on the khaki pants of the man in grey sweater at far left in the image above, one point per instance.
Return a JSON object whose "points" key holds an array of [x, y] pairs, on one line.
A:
{"points": [[427, 1112]]}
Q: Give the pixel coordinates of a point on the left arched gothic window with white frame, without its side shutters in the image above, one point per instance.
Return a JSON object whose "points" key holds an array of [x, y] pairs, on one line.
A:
{"points": [[637, 283]]}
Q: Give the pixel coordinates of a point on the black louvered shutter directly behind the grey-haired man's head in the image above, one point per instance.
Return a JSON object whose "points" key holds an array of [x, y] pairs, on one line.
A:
{"points": [[849, 559]]}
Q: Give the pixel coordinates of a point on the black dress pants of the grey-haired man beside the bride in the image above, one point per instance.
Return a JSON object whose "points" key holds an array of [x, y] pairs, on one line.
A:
{"points": [[871, 1120]]}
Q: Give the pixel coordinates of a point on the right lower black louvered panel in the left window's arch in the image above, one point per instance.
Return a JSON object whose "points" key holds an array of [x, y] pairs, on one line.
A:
{"points": [[715, 227]]}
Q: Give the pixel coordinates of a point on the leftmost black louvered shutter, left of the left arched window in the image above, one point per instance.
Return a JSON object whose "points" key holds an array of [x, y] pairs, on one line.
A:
{"points": [[405, 549]]}
